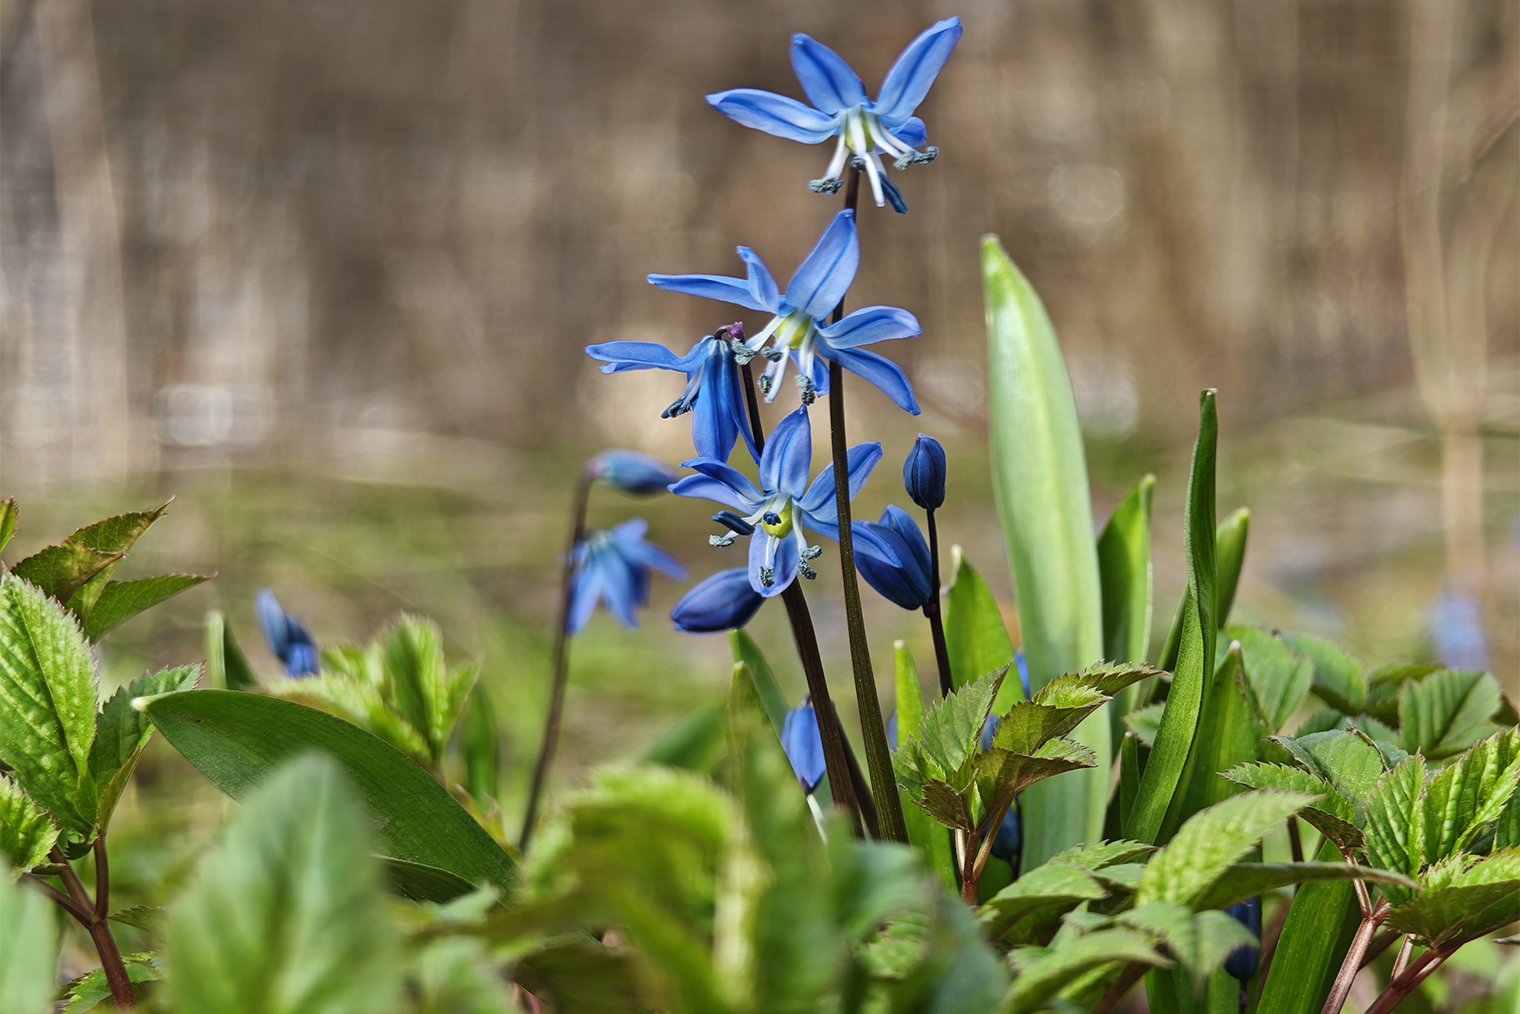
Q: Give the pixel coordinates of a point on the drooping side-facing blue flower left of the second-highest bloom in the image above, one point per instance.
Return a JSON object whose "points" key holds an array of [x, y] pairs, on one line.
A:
{"points": [[712, 385]]}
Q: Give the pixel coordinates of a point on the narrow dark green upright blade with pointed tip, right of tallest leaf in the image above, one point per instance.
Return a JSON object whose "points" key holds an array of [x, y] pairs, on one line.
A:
{"points": [[1167, 770]]}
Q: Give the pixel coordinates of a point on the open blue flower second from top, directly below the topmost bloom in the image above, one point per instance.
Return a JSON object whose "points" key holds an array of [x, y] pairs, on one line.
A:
{"points": [[797, 325]]}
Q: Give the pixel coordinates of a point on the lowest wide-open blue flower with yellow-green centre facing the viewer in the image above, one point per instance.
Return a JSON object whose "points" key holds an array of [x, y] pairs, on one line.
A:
{"points": [[774, 513]]}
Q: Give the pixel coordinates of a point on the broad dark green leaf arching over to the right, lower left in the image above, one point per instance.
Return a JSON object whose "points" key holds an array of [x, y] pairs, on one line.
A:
{"points": [[235, 740]]}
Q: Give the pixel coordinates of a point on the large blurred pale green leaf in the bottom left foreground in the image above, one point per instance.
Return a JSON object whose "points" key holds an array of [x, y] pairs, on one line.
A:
{"points": [[311, 933]]}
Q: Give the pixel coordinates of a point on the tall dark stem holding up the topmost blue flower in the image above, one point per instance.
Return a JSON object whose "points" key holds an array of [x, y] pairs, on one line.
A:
{"points": [[878, 756]]}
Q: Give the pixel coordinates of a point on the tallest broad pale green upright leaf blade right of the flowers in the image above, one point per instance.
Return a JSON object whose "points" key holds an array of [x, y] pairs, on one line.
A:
{"points": [[1040, 483]]}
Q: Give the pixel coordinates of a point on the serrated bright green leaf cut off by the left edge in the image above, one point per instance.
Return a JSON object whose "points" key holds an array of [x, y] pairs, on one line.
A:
{"points": [[48, 702]]}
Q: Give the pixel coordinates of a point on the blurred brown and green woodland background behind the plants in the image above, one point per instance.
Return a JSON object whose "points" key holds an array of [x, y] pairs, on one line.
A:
{"points": [[325, 271]]}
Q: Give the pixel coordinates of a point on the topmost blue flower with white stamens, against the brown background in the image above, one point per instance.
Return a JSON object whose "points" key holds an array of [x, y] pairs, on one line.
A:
{"points": [[866, 128]]}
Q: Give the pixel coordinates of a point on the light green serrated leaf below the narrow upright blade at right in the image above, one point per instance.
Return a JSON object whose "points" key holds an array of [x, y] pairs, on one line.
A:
{"points": [[1212, 841]]}
